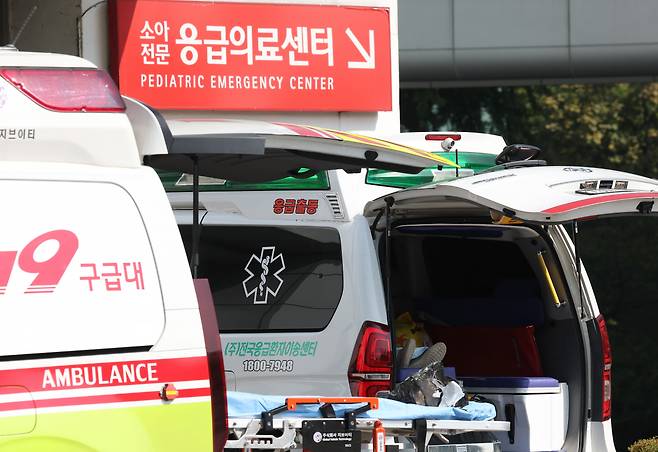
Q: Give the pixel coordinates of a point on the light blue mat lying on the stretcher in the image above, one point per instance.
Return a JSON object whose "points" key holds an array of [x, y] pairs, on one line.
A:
{"points": [[243, 404]]}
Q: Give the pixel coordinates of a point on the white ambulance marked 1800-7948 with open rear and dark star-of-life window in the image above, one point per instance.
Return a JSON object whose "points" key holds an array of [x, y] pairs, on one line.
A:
{"points": [[483, 263]]}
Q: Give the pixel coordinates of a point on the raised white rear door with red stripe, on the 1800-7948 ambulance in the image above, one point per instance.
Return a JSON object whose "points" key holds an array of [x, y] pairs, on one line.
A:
{"points": [[543, 194]]}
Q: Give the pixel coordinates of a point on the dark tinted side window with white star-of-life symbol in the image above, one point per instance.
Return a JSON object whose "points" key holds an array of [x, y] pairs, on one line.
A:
{"points": [[267, 278]]}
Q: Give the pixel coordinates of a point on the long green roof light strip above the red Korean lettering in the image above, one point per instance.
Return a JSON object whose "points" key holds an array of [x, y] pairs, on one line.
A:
{"points": [[181, 182]]}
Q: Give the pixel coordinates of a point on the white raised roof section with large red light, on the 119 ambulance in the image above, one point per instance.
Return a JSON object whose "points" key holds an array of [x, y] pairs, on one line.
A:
{"points": [[62, 109]]}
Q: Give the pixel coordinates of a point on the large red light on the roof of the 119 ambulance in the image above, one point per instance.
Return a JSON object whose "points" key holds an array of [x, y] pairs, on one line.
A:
{"points": [[66, 89]]}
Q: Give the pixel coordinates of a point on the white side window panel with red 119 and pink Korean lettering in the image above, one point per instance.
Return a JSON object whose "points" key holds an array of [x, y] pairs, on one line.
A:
{"points": [[77, 270]]}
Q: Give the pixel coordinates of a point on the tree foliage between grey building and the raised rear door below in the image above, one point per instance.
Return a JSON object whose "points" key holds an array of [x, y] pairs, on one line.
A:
{"points": [[599, 125]]}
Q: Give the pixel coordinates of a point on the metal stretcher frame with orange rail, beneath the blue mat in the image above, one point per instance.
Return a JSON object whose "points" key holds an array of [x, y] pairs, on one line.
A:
{"points": [[284, 433]]}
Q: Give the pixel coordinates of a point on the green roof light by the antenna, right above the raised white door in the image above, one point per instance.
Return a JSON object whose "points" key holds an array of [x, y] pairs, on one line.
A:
{"points": [[470, 163]]}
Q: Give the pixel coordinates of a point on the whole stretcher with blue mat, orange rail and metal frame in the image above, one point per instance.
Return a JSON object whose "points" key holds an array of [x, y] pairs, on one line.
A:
{"points": [[322, 424]]}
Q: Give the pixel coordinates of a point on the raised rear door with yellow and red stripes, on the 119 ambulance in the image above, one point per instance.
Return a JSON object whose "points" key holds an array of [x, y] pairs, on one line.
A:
{"points": [[254, 151]]}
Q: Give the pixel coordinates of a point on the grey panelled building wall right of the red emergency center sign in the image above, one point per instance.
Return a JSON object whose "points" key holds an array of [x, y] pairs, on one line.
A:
{"points": [[466, 42]]}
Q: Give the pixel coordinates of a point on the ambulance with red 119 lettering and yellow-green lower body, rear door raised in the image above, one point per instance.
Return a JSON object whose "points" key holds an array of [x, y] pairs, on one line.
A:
{"points": [[107, 341]]}
